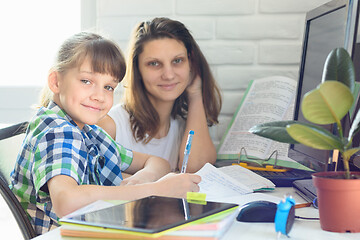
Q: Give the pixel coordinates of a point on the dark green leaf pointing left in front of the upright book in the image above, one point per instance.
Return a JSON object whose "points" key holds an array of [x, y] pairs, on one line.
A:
{"points": [[274, 130]]}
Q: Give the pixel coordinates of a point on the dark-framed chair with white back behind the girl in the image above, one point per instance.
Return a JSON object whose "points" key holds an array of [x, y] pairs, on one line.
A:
{"points": [[9, 146]]}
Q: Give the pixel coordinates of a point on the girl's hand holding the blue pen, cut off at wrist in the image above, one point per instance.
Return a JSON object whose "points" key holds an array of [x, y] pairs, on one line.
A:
{"points": [[177, 185]]}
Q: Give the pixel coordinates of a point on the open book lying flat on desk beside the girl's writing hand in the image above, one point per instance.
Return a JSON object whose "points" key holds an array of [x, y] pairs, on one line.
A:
{"points": [[230, 181]]}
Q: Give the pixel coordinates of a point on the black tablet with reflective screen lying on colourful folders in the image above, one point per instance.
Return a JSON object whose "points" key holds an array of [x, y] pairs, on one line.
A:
{"points": [[149, 215]]}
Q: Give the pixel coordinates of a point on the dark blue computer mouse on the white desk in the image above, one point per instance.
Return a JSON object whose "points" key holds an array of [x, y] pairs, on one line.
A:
{"points": [[257, 211]]}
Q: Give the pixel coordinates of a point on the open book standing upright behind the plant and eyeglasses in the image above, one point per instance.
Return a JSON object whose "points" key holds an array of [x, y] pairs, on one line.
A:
{"points": [[265, 100]]}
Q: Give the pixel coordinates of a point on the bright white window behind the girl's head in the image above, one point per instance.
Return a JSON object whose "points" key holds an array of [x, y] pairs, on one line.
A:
{"points": [[31, 32]]}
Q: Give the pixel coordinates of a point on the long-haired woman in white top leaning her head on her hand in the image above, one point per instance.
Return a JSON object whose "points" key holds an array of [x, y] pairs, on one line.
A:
{"points": [[169, 90]]}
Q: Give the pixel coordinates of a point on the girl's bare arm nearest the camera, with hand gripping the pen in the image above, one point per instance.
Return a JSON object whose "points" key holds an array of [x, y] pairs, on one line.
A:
{"points": [[67, 196]]}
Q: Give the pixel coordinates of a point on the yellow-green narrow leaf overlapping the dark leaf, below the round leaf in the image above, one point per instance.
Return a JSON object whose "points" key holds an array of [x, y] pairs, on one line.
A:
{"points": [[314, 136]]}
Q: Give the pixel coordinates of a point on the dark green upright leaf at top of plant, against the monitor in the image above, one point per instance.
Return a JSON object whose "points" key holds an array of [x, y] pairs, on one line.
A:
{"points": [[339, 67]]}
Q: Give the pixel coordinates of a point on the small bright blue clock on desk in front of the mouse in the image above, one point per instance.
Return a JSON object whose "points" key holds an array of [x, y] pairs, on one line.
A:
{"points": [[285, 215]]}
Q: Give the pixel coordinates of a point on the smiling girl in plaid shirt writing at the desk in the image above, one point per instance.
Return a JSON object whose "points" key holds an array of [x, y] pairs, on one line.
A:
{"points": [[67, 162]]}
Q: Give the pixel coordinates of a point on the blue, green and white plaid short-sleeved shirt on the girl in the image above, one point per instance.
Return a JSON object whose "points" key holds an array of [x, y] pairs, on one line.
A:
{"points": [[54, 145]]}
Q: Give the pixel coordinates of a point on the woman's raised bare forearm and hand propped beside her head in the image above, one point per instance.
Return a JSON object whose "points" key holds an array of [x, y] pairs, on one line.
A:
{"points": [[202, 149]]}
